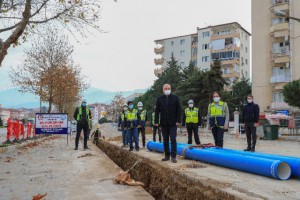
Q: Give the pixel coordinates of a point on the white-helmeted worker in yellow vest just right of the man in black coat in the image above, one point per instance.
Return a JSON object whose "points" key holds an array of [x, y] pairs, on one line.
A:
{"points": [[192, 119]]}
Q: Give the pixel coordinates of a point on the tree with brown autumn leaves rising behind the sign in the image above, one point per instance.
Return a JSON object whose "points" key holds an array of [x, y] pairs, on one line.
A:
{"points": [[48, 71]]}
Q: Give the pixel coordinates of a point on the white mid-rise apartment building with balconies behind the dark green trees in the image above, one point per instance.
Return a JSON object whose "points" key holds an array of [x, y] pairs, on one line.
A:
{"points": [[228, 42]]}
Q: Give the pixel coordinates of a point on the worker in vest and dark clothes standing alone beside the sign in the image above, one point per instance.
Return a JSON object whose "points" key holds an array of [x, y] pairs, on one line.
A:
{"points": [[82, 115]]}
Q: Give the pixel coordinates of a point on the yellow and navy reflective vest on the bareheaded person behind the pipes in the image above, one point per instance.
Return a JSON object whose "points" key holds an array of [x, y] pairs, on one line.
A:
{"points": [[217, 114]]}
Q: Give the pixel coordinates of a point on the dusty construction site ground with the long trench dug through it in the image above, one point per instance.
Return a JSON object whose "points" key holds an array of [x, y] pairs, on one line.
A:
{"points": [[49, 166]]}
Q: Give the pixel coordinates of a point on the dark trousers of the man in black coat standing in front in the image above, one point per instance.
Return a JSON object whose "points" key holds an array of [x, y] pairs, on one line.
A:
{"points": [[170, 133]]}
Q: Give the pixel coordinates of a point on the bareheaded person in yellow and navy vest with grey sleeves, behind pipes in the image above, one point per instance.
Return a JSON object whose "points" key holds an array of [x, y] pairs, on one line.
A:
{"points": [[218, 116]]}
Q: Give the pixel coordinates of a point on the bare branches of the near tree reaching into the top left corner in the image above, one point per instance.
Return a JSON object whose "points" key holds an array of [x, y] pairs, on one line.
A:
{"points": [[21, 18]]}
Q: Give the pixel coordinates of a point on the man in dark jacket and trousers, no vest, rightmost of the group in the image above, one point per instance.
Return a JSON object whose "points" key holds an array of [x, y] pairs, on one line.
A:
{"points": [[250, 116]]}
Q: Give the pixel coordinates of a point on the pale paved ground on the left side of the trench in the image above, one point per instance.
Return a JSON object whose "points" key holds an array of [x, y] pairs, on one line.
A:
{"points": [[49, 166]]}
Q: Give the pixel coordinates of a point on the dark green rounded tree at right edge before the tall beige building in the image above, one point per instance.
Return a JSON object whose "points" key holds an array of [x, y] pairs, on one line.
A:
{"points": [[291, 93]]}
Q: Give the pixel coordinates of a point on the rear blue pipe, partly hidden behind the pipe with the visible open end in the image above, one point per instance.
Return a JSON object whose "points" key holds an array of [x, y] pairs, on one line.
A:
{"points": [[292, 161]]}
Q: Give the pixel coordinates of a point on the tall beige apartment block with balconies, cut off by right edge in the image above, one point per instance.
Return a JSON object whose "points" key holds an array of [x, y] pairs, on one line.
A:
{"points": [[275, 51]]}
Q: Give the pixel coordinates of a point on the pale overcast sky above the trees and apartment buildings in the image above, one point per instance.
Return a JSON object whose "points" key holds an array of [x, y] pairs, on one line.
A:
{"points": [[122, 59]]}
